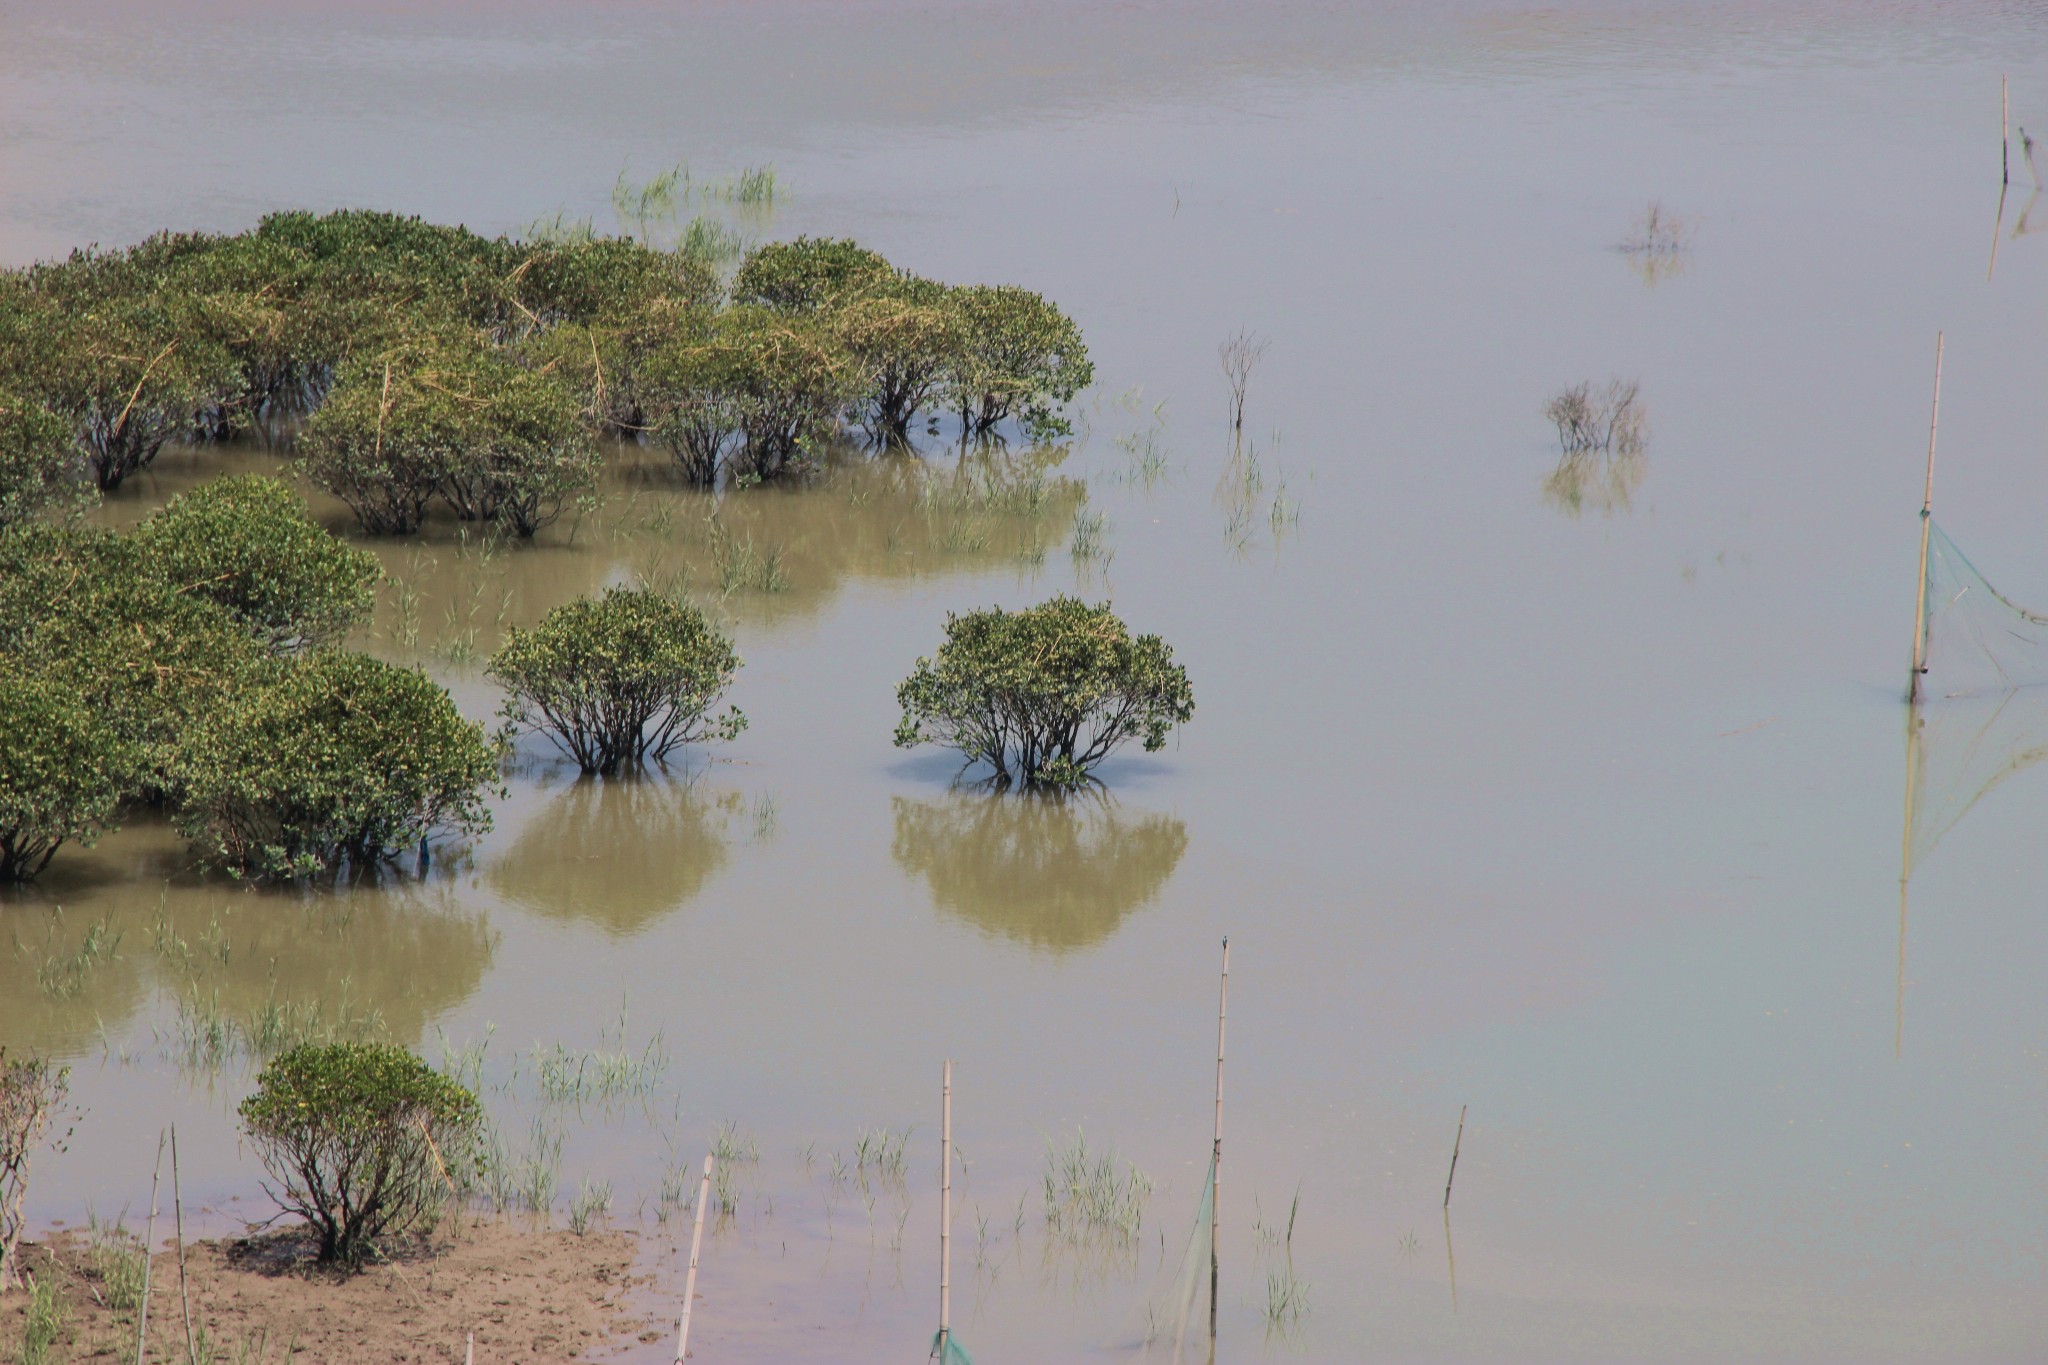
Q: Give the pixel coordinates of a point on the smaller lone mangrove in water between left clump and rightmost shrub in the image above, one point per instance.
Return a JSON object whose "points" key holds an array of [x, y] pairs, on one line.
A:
{"points": [[620, 680]]}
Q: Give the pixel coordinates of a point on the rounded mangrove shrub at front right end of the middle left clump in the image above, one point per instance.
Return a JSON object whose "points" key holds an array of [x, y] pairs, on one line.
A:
{"points": [[327, 762]]}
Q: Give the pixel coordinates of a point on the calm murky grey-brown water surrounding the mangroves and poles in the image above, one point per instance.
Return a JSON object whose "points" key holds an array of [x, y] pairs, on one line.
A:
{"points": [[1566, 795]]}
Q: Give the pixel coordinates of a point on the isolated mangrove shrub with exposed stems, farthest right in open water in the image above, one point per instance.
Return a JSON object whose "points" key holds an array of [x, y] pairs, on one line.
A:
{"points": [[1043, 695]]}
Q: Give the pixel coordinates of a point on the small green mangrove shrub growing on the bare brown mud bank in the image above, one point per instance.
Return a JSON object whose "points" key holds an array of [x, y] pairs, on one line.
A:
{"points": [[364, 1141]]}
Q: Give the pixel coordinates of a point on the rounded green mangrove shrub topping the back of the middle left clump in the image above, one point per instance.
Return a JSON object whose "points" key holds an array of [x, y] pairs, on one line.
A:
{"points": [[249, 545]]}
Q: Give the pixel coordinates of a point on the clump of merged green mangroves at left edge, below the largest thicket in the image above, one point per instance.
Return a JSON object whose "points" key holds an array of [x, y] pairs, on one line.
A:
{"points": [[142, 668]]}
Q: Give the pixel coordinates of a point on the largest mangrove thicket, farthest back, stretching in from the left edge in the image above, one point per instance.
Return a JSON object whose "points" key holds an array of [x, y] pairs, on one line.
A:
{"points": [[437, 365]]}
